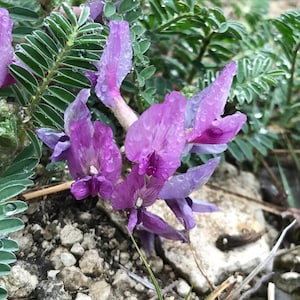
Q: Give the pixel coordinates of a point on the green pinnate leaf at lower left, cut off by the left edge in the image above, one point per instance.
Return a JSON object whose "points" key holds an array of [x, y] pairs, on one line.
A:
{"points": [[15, 180]]}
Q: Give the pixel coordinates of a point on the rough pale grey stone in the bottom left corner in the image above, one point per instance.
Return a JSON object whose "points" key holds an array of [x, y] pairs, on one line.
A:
{"points": [[19, 282]]}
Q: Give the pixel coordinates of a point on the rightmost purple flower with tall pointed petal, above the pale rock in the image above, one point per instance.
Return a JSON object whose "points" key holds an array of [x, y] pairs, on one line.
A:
{"points": [[207, 131]]}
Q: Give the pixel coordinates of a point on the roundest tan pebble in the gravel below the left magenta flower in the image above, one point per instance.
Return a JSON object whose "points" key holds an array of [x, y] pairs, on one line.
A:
{"points": [[91, 263]]}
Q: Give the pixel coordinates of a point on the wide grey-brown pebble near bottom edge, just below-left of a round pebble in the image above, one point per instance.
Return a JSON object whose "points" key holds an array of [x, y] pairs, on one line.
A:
{"points": [[73, 278]]}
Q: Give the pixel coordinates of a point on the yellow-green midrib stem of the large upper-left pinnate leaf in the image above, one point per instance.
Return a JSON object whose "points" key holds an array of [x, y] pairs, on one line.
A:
{"points": [[35, 99]]}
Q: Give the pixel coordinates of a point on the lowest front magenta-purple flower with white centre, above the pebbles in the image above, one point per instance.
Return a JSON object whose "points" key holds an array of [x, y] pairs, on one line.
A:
{"points": [[135, 194]]}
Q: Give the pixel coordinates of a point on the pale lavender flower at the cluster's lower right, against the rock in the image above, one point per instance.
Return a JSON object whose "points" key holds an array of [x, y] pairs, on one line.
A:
{"points": [[176, 193]]}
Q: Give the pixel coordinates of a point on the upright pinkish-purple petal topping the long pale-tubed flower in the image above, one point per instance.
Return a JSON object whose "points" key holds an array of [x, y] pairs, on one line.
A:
{"points": [[115, 63]]}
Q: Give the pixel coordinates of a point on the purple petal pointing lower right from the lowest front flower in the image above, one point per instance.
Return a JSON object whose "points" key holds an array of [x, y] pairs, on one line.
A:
{"points": [[155, 224]]}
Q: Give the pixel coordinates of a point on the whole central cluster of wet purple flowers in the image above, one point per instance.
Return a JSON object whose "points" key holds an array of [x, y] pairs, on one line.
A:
{"points": [[155, 143]]}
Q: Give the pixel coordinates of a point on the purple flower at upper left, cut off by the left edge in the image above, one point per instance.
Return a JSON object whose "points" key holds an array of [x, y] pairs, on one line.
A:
{"points": [[6, 48]]}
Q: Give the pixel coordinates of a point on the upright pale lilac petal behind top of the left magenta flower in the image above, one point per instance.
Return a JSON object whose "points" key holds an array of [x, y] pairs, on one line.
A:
{"points": [[77, 110]]}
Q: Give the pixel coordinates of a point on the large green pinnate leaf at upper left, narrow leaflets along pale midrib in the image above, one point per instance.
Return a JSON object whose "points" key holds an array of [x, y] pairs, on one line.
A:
{"points": [[52, 65]]}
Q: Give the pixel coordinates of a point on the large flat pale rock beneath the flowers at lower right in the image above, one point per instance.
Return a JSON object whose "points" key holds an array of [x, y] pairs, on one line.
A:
{"points": [[235, 215]]}
